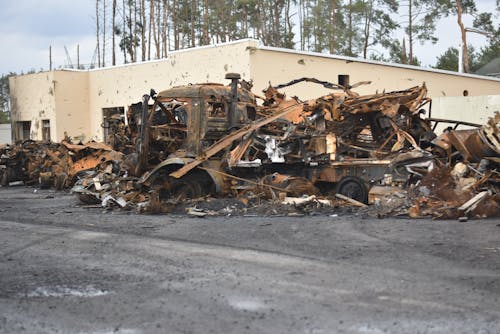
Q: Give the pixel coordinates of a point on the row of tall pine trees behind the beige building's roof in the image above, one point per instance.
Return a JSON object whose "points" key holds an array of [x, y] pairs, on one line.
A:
{"points": [[347, 27]]}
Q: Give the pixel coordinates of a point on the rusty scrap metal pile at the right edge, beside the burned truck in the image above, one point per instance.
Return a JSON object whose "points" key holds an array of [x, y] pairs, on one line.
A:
{"points": [[467, 181]]}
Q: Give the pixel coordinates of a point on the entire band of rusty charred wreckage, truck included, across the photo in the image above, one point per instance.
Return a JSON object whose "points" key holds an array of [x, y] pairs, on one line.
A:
{"points": [[210, 143]]}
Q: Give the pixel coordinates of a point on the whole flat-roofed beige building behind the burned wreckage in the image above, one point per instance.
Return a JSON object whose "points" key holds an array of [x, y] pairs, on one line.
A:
{"points": [[47, 105]]}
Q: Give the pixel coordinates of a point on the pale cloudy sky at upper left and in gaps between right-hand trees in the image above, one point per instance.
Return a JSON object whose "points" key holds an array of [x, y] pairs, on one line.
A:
{"points": [[28, 27]]}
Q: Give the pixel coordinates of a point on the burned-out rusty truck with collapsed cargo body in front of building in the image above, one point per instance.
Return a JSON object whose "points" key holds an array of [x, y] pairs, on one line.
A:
{"points": [[214, 139]]}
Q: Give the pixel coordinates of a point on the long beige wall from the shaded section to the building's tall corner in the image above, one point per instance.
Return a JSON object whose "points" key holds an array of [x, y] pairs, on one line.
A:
{"points": [[122, 85]]}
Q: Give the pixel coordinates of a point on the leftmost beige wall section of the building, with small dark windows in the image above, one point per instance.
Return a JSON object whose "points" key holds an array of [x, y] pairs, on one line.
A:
{"points": [[33, 99]]}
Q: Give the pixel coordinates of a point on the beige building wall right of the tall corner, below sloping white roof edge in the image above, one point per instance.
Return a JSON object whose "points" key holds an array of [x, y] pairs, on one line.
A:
{"points": [[282, 66]]}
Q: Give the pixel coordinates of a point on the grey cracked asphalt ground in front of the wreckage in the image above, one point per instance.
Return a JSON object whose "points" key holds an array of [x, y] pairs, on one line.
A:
{"points": [[67, 268]]}
